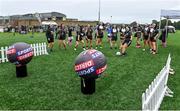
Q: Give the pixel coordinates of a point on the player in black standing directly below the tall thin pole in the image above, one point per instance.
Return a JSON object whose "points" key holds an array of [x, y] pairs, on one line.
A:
{"points": [[100, 35]]}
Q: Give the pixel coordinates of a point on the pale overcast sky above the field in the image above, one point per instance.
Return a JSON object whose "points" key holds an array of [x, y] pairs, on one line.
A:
{"points": [[122, 11]]}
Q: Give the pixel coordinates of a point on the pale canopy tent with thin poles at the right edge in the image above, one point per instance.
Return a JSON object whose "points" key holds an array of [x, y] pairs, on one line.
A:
{"points": [[168, 14]]}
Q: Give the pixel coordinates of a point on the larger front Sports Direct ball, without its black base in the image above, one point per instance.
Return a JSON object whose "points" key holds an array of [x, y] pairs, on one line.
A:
{"points": [[90, 64]]}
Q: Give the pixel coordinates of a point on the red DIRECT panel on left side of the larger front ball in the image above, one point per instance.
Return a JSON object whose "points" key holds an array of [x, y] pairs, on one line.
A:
{"points": [[84, 65]]}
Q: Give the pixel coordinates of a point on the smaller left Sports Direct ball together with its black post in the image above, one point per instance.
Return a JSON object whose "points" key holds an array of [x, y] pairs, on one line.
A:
{"points": [[20, 54]]}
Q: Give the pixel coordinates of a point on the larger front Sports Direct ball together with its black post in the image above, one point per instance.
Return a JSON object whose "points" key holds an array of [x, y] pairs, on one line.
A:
{"points": [[89, 65]]}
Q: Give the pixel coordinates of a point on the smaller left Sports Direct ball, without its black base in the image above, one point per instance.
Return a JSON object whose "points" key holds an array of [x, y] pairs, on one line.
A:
{"points": [[20, 53]]}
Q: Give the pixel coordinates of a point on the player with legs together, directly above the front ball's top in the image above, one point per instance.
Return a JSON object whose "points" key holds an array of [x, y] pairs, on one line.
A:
{"points": [[89, 34]]}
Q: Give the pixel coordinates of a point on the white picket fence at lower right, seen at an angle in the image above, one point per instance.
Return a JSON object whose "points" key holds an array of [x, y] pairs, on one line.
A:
{"points": [[153, 96]]}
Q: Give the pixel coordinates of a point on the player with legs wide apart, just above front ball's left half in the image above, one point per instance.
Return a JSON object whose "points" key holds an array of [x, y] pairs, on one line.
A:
{"points": [[79, 37]]}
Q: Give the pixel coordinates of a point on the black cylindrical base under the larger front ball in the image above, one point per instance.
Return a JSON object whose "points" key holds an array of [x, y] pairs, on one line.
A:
{"points": [[88, 86]]}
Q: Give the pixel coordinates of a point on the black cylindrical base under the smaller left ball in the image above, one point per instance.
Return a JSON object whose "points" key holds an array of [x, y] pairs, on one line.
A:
{"points": [[21, 71]]}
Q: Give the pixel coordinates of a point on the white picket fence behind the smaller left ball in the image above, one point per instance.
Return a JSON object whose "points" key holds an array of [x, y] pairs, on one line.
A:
{"points": [[39, 49]]}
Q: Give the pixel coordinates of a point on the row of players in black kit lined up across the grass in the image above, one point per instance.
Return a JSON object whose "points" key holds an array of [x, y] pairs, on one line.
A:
{"points": [[86, 34]]}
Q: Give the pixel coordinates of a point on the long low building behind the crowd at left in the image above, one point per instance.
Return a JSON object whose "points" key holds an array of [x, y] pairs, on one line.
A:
{"points": [[30, 20]]}
